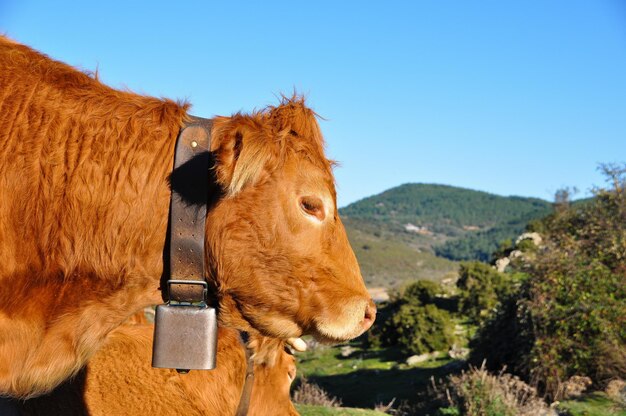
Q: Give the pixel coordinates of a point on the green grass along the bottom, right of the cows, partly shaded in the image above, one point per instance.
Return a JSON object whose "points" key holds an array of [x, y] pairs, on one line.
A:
{"points": [[367, 378]]}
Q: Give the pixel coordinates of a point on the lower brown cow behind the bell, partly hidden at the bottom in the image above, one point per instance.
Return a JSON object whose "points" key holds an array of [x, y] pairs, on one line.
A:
{"points": [[118, 380]]}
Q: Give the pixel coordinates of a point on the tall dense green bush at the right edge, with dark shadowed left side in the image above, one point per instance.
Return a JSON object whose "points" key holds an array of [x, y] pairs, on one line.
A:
{"points": [[567, 319]]}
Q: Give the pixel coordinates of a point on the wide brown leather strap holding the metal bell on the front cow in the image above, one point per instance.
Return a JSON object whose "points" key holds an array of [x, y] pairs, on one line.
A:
{"points": [[189, 183]]}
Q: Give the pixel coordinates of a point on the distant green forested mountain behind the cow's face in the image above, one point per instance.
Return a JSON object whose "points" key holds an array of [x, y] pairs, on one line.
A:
{"points": [[421, 230]]}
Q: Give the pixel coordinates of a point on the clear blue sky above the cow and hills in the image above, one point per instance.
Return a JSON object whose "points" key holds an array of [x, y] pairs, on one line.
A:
{"points": [[509, 97]]}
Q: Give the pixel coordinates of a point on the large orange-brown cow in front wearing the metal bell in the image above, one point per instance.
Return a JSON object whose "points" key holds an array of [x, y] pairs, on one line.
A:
{"points": [[83, 216]]}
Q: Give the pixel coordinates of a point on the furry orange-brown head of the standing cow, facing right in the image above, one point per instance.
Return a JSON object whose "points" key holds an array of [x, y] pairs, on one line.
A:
{"points": [[281, 261]]}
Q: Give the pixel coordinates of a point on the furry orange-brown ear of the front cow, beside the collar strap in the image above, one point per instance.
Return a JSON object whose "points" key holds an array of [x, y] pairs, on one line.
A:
{"points": [[240, 152]]}
